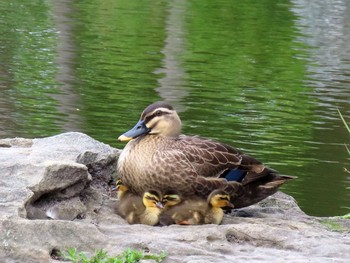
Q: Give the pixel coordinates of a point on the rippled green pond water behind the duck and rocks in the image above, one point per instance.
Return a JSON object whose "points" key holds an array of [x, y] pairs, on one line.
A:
{"points": [[266, 77]]}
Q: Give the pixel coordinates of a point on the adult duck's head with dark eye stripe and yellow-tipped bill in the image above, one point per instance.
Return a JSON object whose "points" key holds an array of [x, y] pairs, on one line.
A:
{"points": [[159, 118]]}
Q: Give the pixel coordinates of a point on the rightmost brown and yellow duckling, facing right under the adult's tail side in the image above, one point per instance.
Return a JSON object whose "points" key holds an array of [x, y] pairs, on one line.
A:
{"points": [[196, 212]]}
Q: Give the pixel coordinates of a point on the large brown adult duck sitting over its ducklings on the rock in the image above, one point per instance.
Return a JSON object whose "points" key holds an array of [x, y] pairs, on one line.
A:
{"points": [[157, 156]]}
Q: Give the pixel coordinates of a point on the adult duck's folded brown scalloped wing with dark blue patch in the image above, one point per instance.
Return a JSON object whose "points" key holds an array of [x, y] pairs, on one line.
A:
{"points": [[212, 159]]}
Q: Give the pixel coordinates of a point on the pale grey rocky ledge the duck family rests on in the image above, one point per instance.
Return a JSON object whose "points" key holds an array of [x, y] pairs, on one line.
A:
{"points": [[55, 193]]}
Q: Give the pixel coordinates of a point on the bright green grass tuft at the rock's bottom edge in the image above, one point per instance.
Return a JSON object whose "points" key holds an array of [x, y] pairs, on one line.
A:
{"points": [[101, 256]]}
